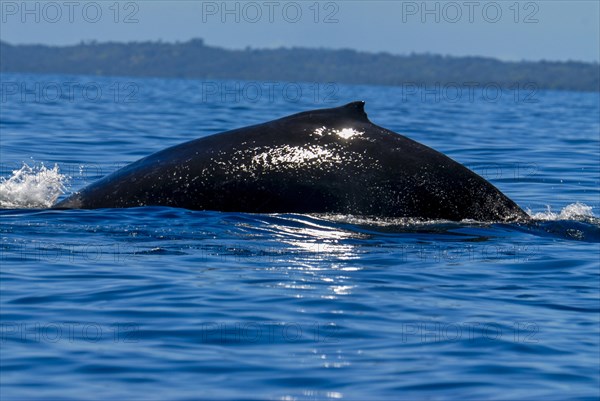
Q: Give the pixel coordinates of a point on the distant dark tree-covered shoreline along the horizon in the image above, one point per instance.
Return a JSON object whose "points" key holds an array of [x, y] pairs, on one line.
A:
{"points": [[194, 59]]}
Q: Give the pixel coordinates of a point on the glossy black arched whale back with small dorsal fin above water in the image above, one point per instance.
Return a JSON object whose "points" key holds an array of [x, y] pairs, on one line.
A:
{"points": [[321, 161]]}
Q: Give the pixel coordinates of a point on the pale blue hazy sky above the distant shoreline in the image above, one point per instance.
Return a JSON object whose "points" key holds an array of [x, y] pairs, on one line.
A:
{"points": [[509, 30]]}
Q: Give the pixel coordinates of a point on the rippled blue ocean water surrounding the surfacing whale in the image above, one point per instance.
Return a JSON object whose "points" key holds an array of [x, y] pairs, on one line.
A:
{"points": [[161, 303]]}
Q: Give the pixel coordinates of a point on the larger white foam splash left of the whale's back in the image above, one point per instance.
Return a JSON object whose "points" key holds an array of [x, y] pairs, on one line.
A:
{"points": [[32, 187]]}
